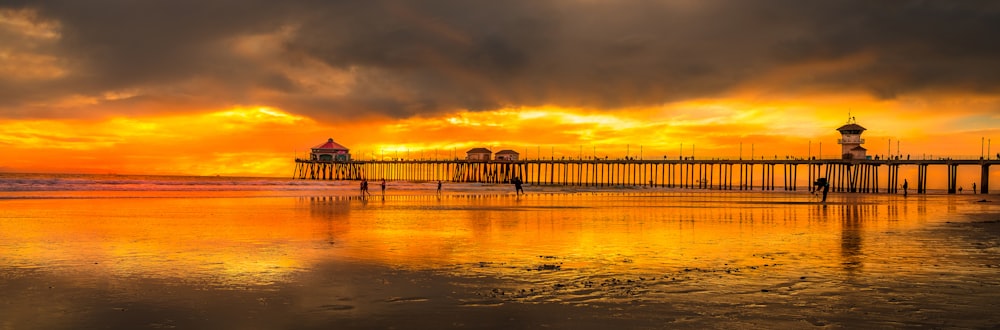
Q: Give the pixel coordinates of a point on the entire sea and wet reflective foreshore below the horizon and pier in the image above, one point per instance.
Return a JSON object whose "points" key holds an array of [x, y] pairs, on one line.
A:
{"points": [[139, 252]]}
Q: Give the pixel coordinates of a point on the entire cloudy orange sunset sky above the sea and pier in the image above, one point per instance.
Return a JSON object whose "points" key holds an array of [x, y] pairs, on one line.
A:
{"points": [[243, 87]]}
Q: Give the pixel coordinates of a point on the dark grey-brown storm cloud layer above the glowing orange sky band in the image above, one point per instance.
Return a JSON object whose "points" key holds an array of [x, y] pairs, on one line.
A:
{"points": [[418, 57]]}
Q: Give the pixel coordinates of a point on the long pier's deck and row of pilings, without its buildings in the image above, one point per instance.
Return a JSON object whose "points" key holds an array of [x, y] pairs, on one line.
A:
{"points": [[844, 175]]}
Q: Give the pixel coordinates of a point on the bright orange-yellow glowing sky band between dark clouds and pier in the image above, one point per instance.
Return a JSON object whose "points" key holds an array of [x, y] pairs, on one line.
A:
{"points": [[263, 140]]}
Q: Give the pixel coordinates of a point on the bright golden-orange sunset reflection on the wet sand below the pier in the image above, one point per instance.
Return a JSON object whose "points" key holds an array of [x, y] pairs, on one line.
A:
{"points": [[251, 241]]}
